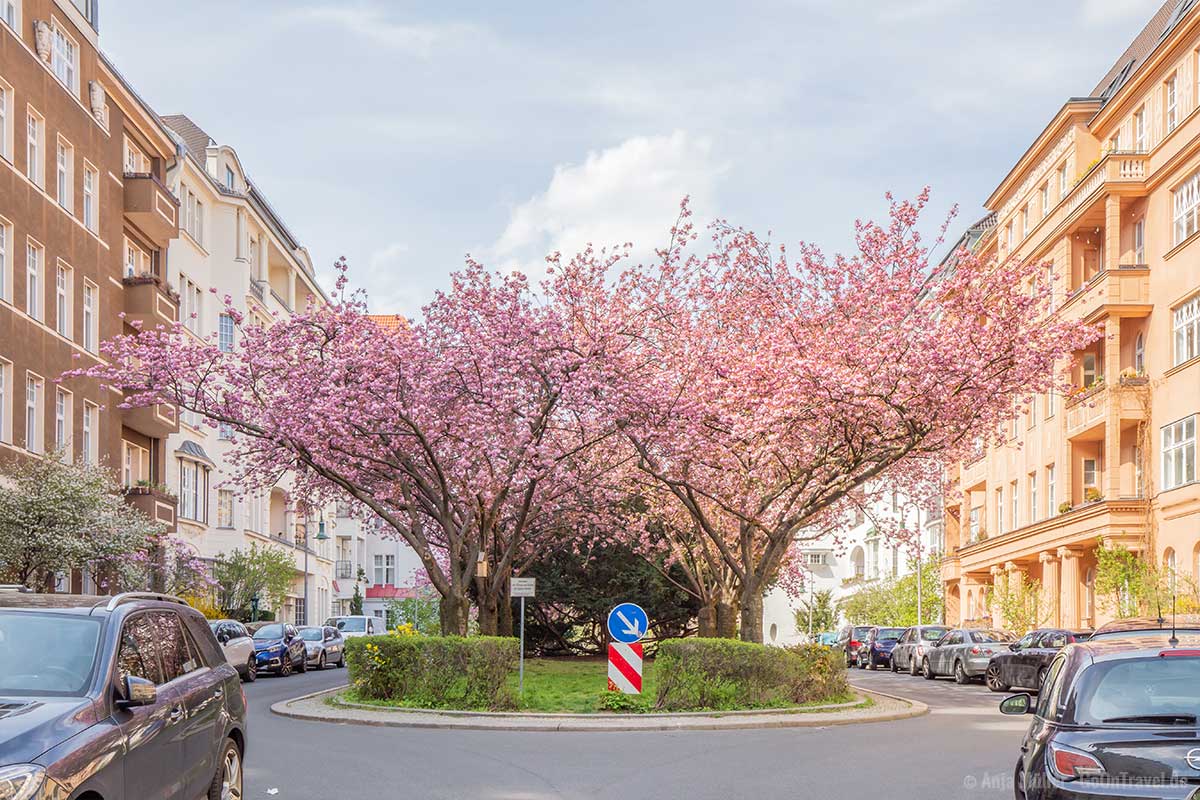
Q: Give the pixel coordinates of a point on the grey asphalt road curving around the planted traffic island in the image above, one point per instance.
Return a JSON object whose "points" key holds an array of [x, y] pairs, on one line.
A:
{"points": [[964, 750]]}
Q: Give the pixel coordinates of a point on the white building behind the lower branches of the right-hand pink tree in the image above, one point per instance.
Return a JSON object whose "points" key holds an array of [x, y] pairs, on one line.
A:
{"points": [[857, 557]]}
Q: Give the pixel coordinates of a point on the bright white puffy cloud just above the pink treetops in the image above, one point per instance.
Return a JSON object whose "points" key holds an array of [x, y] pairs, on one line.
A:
{"points": [[626, 194]]}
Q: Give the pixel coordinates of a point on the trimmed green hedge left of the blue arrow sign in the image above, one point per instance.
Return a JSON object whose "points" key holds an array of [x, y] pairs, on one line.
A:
{"points": [[439, 672]]}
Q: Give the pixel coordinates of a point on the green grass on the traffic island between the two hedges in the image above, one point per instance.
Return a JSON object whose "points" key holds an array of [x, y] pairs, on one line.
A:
{"points": [[567, 685]]}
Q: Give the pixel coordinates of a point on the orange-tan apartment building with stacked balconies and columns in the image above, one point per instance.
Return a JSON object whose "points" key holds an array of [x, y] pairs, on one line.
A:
{"points": [[1109, 196]]}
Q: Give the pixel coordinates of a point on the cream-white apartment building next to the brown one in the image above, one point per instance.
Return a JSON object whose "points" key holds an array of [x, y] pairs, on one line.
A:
{"points": [[232, 243]]}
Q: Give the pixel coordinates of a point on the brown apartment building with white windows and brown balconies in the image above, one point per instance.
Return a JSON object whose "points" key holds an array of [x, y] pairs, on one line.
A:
{"points": [[82, 167]]}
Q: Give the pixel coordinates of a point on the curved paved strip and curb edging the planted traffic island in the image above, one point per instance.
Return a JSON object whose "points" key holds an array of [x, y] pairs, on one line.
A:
{"points": [[317, 708]]}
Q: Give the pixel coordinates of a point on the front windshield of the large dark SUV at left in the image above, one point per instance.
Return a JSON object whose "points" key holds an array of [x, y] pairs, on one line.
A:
{"points": [[47, 654]]}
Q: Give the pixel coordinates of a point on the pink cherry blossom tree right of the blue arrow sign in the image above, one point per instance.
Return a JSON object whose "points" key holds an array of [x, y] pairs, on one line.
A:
{"points": [[763, 390]]}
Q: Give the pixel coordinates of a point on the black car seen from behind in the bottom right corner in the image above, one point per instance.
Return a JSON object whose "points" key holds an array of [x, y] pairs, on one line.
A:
{"points": [[1115, 719]]}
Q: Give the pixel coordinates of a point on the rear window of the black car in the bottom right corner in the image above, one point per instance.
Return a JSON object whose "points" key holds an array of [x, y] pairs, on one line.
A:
{"points": [[1150, 691]]}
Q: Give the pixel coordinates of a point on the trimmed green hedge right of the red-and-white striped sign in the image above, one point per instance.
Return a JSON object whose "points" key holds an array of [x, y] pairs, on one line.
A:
{"points": [[725, 675]]}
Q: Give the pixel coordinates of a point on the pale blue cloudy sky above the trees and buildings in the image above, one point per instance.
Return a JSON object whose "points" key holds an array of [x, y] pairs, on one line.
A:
{"points": [[405, 136]]}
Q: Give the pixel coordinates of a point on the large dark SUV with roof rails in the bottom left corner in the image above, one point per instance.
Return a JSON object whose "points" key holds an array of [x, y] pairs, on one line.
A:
{"points": [[116, 697]]}
